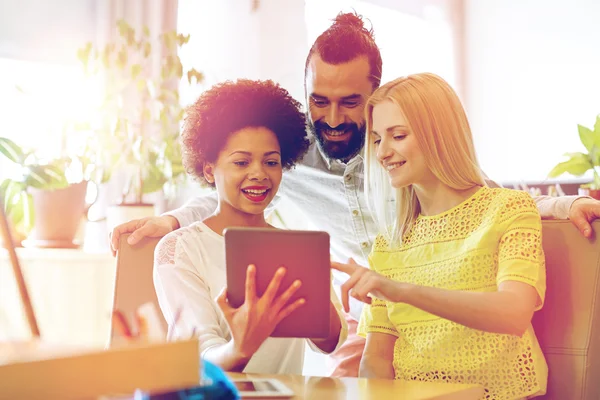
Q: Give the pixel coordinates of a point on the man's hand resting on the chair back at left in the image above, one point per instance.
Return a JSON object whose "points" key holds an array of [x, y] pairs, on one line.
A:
{"points": [[141, 228]]}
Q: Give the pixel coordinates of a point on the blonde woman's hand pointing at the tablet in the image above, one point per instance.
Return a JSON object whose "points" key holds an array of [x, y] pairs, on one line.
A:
{"points": [[363, 282]]}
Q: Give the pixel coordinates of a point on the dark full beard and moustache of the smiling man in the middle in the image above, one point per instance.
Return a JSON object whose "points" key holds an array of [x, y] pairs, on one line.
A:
{"points": [[343, 151]]}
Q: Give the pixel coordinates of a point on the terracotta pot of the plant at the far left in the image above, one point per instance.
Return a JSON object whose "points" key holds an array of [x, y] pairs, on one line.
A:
{"points": [[57, 216]]}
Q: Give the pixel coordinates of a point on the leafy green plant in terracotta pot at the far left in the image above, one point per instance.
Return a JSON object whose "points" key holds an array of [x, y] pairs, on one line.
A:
{"points": [[39, 201]]}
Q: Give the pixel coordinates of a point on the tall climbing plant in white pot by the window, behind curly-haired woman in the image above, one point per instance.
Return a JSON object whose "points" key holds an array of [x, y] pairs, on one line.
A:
{"points": [[137, 124]]}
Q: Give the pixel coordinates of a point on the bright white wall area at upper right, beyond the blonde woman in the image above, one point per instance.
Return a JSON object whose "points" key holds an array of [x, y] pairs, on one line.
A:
{"points": [[534, 74]]}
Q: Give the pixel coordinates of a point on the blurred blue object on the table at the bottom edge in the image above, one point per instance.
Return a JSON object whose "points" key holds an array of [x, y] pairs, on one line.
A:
{"points": [[217, 386]]}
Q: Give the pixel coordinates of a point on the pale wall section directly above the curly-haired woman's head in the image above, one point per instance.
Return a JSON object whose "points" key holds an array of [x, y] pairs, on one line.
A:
{"points": [[229, 40]]}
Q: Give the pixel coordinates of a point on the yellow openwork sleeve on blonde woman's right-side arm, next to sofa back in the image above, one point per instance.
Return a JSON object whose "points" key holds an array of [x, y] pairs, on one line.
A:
{"points": [[520, 253]]}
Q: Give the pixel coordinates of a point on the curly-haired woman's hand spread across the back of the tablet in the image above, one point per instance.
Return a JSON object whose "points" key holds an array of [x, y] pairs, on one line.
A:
{"points": [[254, 321]]}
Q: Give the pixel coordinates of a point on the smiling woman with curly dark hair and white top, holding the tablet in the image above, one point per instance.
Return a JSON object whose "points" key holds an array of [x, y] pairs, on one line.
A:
{"points": [[237, 137]]}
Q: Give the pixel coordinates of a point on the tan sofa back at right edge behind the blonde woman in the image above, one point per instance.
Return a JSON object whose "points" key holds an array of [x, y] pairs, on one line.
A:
{"points": [[568, 327]]}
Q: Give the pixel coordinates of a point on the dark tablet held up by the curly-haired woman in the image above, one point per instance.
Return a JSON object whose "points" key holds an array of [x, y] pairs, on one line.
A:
{"points": [[304, 254]]}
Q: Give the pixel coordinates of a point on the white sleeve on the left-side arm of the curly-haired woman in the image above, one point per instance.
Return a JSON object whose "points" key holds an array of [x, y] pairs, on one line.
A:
{"points": [[181, 288]]}
